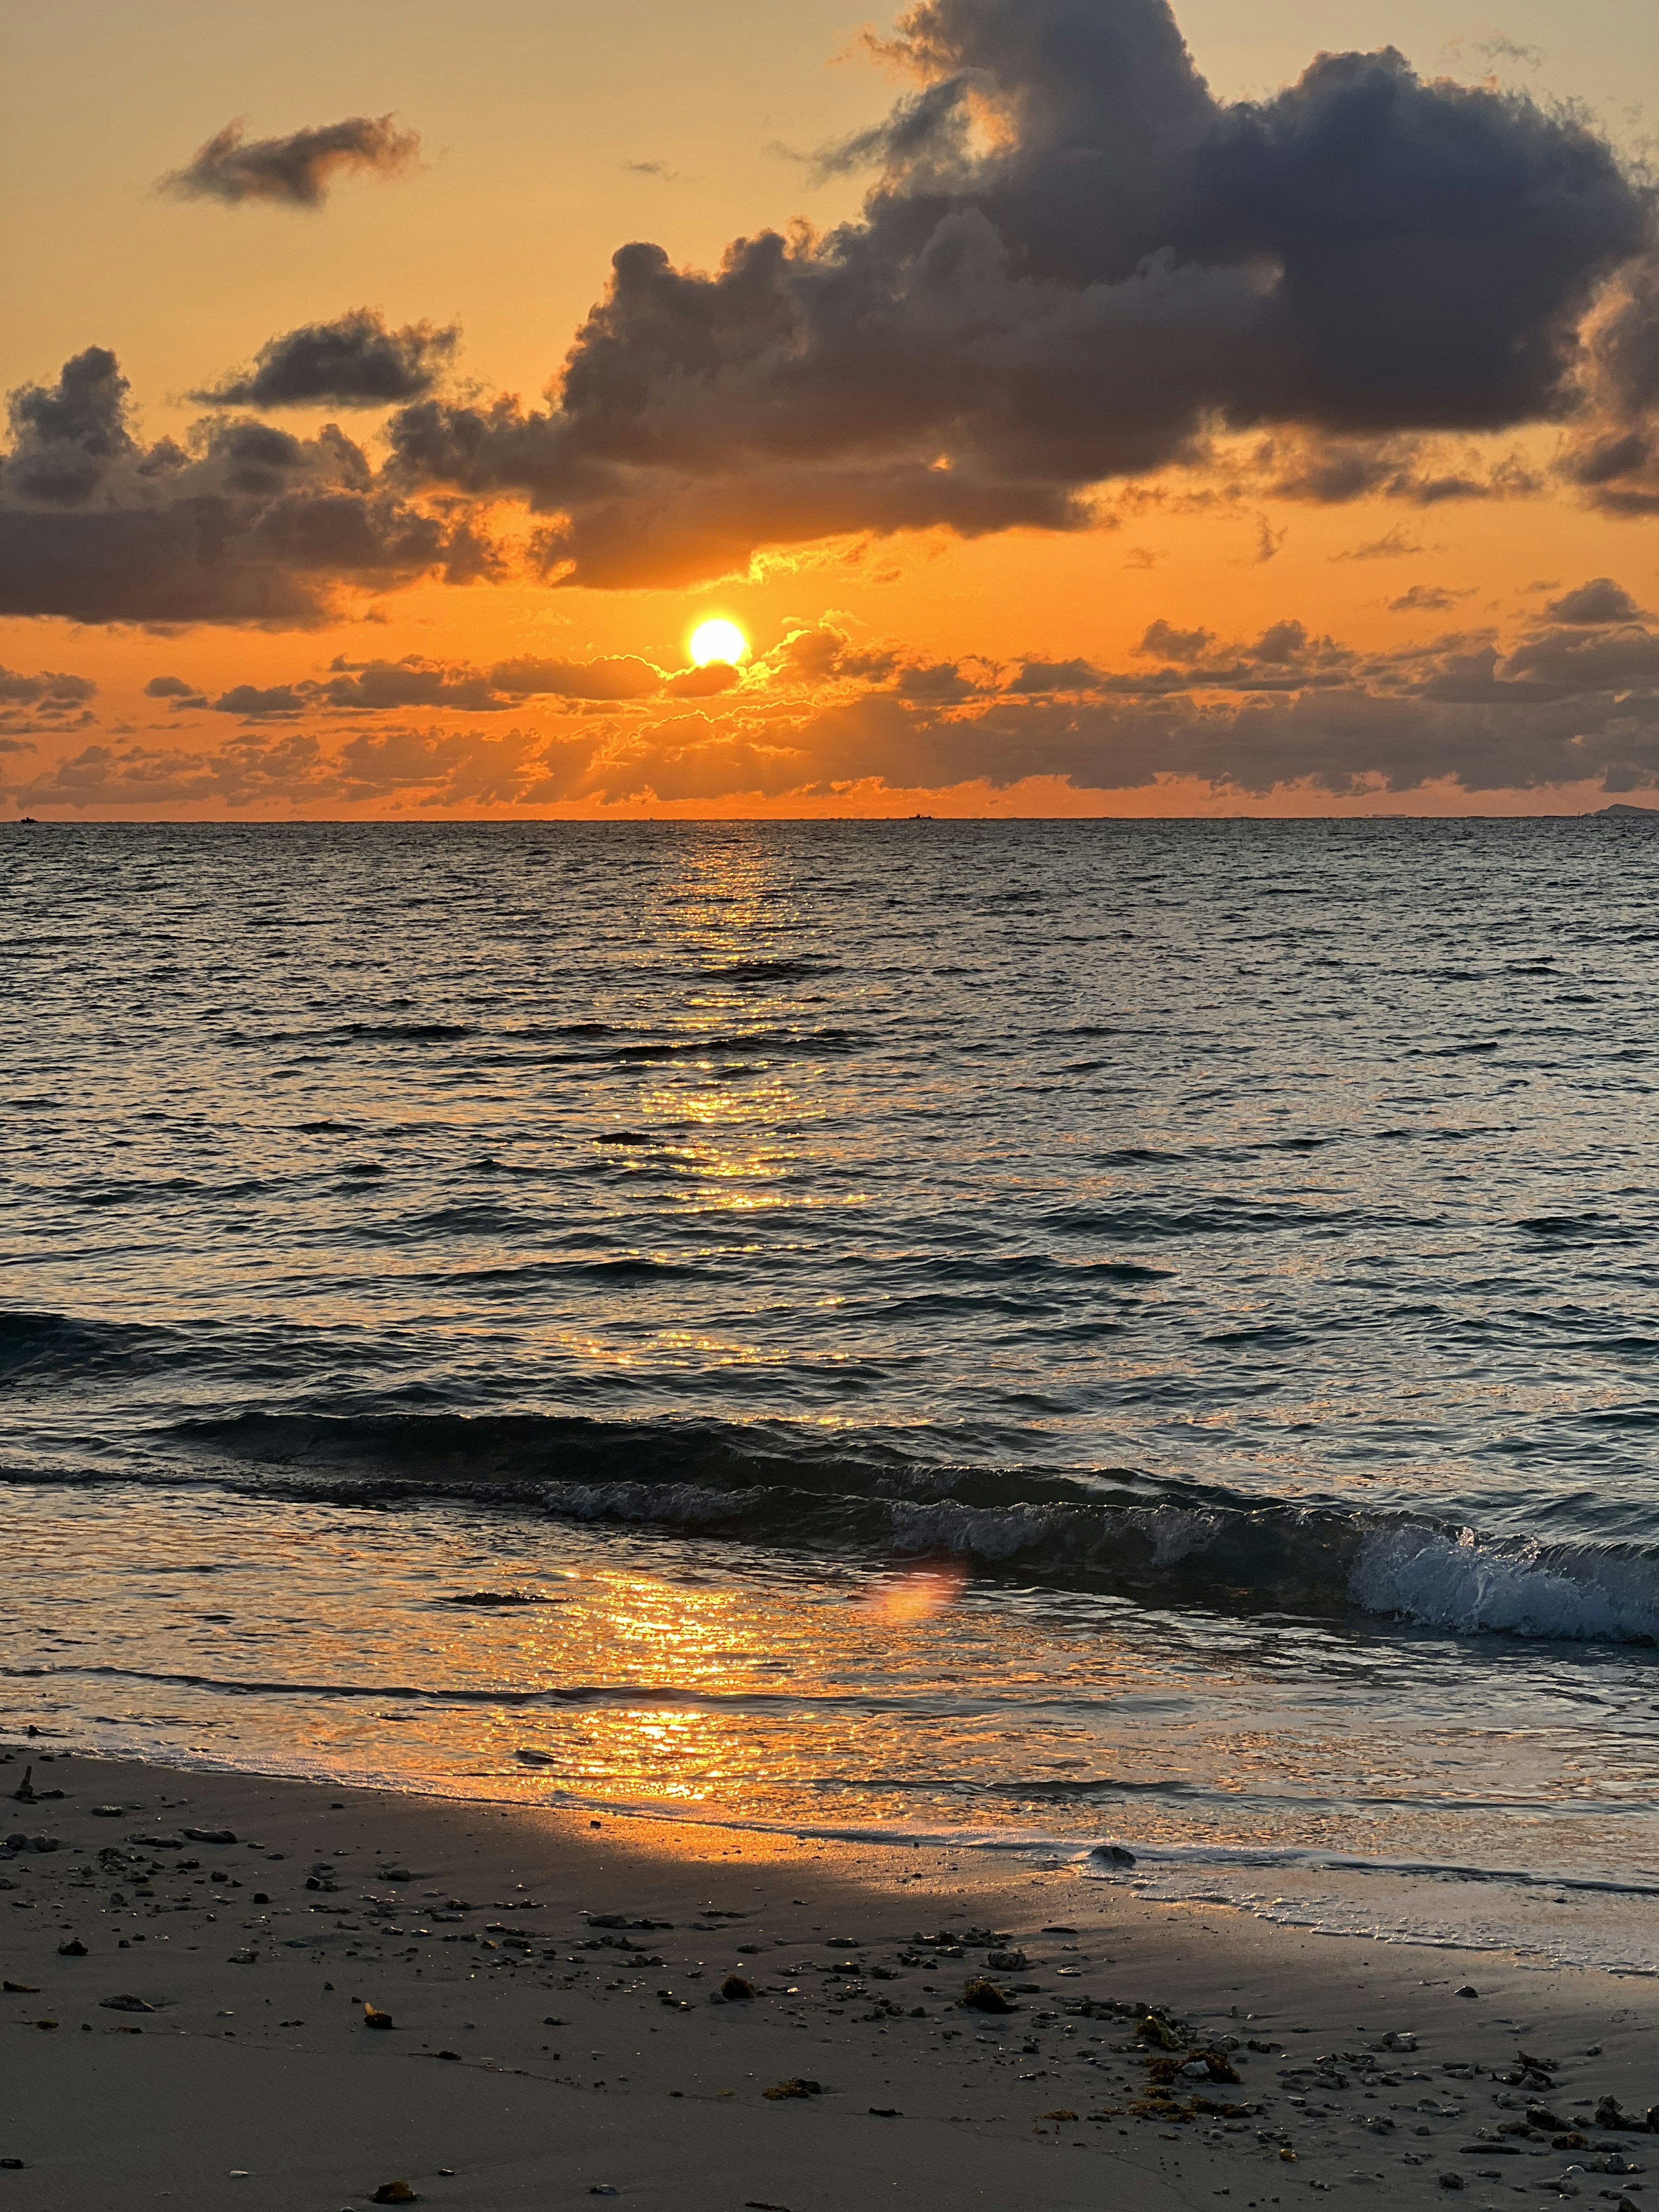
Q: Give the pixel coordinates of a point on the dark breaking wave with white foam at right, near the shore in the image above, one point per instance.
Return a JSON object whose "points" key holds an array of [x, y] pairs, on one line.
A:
{"points": [[899, 1499]]}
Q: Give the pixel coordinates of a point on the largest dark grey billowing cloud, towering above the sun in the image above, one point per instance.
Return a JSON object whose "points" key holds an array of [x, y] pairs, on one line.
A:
{"points": [[1074, 267]]}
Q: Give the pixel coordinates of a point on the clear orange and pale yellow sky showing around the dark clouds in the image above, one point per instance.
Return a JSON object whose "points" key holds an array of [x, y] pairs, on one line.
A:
{"points": [[550, 138]]}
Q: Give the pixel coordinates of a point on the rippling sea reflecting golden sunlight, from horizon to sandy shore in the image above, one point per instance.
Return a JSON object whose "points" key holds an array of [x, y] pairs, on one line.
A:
{"points": [[1008, 1333]]}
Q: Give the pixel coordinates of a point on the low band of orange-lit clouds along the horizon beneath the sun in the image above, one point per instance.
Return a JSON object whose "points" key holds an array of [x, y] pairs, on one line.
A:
{"points": [[1569, 700]]}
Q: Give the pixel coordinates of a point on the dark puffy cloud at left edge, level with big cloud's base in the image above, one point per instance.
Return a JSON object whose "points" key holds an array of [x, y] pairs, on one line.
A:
{"points": [[244, 523]]}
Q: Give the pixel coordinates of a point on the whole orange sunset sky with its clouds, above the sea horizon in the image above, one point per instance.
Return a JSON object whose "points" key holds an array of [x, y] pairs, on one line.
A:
{"points": [[1078, 408]]}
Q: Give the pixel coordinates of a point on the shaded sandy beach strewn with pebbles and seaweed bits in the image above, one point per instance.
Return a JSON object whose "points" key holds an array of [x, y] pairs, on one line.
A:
{"points": [[543, 2058]]}
